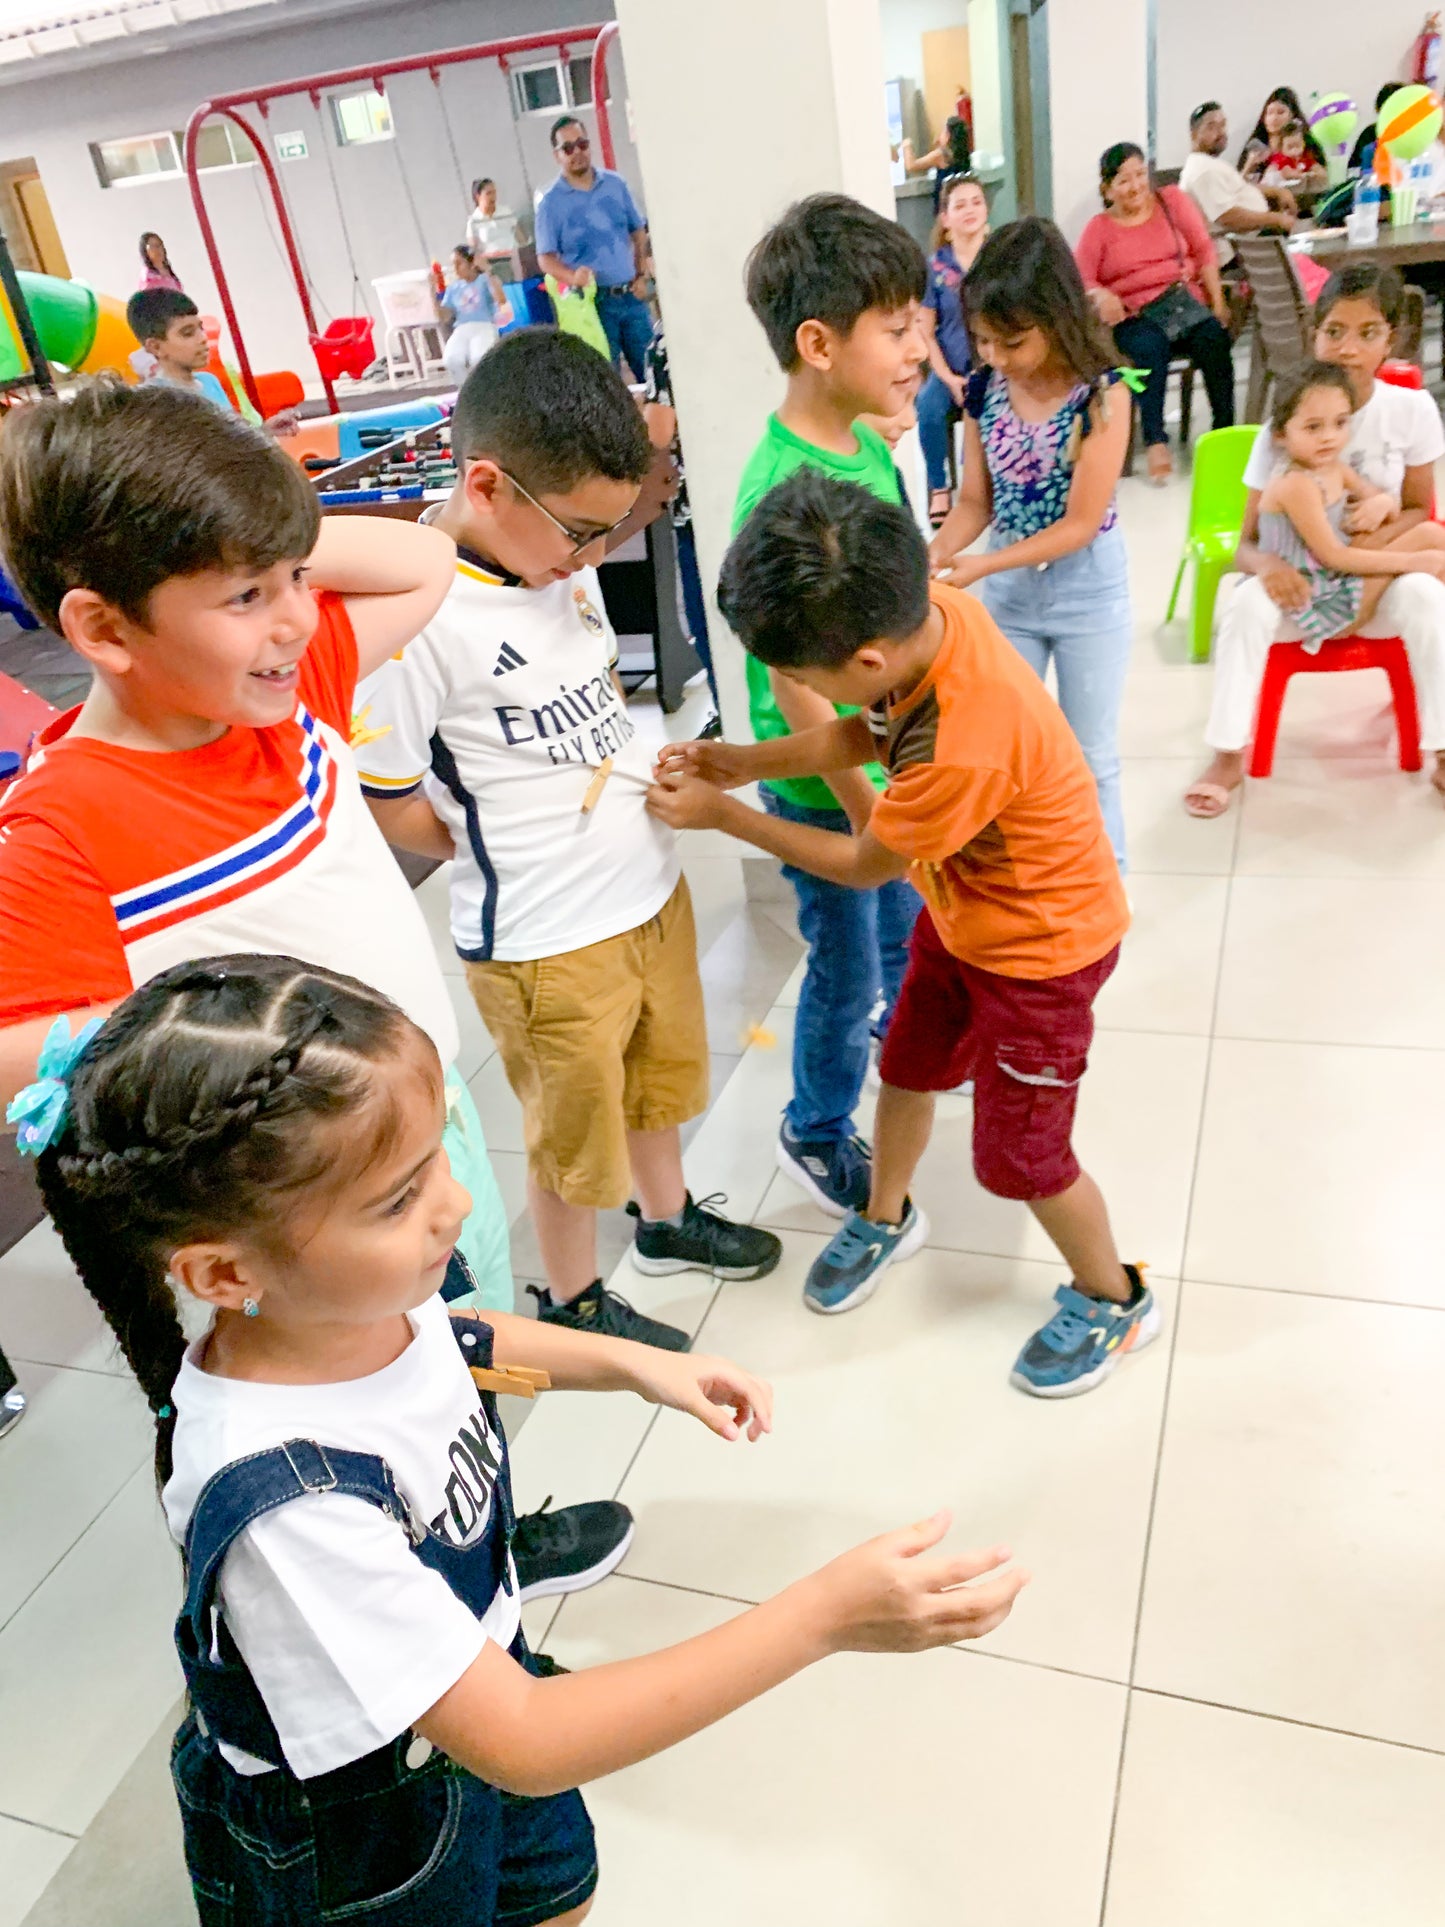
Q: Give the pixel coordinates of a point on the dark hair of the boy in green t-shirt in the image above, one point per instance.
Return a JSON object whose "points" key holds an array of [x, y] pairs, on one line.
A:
{"points": [[829, 259]]}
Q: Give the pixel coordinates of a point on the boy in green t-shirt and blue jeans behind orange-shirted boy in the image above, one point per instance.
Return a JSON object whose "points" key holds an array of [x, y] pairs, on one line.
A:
{"points": [[837, 290]]}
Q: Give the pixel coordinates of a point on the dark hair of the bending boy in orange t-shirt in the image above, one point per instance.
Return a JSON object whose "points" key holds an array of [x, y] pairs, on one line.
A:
{"points": [[820, 569]]}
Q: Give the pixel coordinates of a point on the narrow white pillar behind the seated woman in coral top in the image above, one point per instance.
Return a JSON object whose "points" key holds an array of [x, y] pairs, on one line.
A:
{"points": [[1099, 92]]}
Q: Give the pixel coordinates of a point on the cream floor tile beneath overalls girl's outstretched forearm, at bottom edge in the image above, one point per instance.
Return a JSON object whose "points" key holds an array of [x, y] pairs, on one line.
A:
{"points": [[953, 1756]]}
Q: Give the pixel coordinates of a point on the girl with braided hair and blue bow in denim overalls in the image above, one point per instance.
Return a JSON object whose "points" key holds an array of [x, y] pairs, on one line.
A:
{"points": [[369, 1735]]}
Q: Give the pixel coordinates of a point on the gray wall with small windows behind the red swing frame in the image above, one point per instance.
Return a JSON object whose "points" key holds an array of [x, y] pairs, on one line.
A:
{"points": [[57, 119]]}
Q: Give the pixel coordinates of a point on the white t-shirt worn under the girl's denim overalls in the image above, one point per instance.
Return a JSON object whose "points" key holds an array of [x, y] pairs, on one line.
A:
{"points": [[346, 1633]]}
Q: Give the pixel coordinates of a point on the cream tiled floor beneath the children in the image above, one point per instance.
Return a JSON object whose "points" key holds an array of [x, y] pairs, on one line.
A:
{"points": [[1221, 1701]]}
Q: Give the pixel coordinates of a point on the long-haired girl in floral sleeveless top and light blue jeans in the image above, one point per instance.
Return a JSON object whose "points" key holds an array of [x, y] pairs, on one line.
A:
{"points": [[1045, 442]]}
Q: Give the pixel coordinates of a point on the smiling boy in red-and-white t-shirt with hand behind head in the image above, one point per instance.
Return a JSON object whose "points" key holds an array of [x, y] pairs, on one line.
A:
{"points": [[203, 801]]}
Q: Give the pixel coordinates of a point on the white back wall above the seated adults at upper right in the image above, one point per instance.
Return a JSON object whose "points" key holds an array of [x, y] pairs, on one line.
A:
{"points": [[1238, 53]]}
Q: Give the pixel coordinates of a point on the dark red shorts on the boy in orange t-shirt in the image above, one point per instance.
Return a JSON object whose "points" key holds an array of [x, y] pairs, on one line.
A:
{"points": [[1022, 1040]]}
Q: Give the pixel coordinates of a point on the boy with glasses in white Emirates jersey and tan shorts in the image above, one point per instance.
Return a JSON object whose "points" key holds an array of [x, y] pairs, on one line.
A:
{"points": [[502, 739]]}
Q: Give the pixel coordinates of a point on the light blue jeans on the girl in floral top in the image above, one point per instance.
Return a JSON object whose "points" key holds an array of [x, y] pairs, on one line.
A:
{"points": [[1078, 614]]}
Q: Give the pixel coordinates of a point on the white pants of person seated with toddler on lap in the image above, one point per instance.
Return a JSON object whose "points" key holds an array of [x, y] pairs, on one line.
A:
{"points": [[1413, 608]]}
